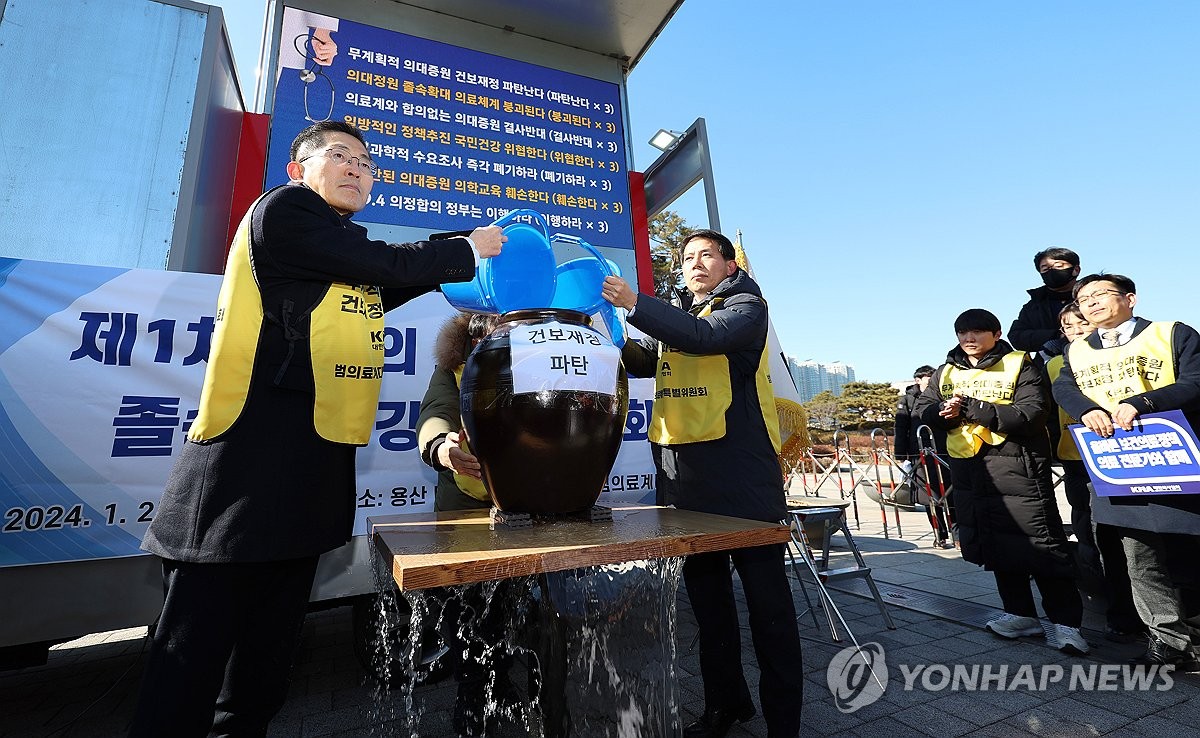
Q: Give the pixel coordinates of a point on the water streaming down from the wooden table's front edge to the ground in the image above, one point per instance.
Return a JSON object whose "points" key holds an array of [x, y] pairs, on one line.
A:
{"points": [[587, 652]]}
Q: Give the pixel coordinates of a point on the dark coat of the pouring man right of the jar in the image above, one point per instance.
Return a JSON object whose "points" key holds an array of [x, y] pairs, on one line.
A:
{"points": [[740, 475]]}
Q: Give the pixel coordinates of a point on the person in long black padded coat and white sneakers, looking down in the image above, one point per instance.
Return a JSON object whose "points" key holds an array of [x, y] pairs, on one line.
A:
{"points": [[994, 405]]}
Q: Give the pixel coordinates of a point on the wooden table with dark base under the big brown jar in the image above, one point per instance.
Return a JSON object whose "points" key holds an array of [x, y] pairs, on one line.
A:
{"points": [[580, 614]]}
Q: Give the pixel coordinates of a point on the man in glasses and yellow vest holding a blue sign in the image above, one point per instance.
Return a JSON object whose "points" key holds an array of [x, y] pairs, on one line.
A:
{"points": [[1127, 369]]}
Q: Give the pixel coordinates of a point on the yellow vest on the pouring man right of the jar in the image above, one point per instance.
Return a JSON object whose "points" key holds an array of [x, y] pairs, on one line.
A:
{"points": [[693, 394]]}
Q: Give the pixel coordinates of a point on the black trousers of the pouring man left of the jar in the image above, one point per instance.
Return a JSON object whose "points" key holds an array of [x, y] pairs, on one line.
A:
{"points": [[224, 647]]}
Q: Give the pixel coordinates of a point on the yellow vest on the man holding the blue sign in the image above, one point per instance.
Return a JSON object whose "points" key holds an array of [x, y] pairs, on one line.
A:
{"points": [[1107, 376]]}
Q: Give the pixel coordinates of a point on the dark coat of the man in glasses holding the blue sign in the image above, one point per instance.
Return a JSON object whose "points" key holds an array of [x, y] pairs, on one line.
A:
{"points": [[1161, 513]]}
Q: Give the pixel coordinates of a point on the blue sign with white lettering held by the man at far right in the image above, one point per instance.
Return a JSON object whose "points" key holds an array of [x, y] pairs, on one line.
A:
{"points": [[1159, 457]]}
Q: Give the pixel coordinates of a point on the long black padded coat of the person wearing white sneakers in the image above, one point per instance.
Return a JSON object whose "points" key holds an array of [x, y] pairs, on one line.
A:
{"points": [[1004, 497]]}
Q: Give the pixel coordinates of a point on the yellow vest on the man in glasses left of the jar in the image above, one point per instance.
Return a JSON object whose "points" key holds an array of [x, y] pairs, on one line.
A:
{"points": [[346, 340]]}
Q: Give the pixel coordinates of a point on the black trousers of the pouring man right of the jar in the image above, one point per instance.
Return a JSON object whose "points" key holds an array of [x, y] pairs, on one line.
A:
{"points": [[773, 631]]}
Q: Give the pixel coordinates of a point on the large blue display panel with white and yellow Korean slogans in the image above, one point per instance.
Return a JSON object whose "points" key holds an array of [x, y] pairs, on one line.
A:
{"points": [[461, 137]]}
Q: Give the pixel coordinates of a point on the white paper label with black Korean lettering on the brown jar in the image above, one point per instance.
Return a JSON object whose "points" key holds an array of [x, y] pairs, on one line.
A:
{"points": [[562, 357]]}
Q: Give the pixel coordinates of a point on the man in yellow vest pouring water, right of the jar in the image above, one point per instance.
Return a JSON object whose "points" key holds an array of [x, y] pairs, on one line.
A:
{"points": [[716, 441]]}
